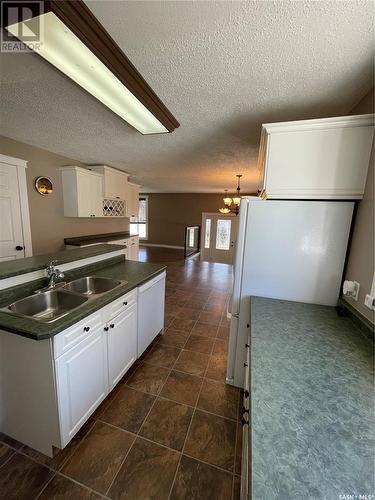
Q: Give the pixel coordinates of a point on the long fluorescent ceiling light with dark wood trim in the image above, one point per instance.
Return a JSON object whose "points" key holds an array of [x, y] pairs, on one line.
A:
{"points": [[74, 41]]}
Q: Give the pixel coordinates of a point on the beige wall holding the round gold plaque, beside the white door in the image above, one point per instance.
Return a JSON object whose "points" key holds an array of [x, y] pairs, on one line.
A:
{"points": [[49, 227]]}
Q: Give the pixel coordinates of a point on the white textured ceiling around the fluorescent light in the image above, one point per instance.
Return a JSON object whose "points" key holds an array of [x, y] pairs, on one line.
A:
{"points": [[222, 68]]}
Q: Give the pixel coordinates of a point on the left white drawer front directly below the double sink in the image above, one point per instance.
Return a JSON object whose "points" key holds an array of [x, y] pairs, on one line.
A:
{"points": [[70, 337]]}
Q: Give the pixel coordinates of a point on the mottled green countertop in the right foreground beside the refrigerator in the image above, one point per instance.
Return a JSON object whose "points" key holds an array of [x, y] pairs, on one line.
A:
{"points": [[312, 403]]}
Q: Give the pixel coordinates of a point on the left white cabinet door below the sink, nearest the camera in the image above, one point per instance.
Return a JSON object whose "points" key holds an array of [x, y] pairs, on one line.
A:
{"points": [[82, 383]]}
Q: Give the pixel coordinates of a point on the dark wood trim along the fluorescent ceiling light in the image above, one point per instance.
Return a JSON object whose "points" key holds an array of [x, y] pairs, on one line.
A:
{"points": [[82, 22]]}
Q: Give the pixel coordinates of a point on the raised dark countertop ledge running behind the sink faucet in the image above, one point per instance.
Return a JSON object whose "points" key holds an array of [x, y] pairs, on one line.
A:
{"points": [[21, 266]]}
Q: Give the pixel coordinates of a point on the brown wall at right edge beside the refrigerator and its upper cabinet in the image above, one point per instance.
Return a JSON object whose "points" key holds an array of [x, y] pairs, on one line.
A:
{"points": [[362, 250]]}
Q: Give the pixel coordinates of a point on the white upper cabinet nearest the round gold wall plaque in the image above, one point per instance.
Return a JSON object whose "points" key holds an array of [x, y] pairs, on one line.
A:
{"points": [[82, 192]]}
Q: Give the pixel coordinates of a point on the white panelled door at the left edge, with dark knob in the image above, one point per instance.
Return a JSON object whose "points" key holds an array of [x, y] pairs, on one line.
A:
{"points": [[15, 235]]}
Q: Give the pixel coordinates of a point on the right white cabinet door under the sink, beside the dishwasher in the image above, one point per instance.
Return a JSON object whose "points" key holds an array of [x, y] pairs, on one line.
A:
{"points": [[122, 344]]}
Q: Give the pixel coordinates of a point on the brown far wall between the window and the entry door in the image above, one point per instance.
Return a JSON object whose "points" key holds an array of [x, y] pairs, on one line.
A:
{"points": [[170, 213]]}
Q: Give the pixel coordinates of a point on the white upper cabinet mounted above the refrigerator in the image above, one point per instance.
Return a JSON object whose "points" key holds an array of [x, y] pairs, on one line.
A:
{"points": [[316, 159]]}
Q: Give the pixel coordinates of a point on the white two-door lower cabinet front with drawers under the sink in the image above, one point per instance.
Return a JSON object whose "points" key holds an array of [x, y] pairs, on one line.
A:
{"points": [[86, 373]]}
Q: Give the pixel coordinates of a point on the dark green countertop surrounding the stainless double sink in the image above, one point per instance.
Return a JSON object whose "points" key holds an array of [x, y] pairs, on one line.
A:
{"points": [[135, 273]]}
